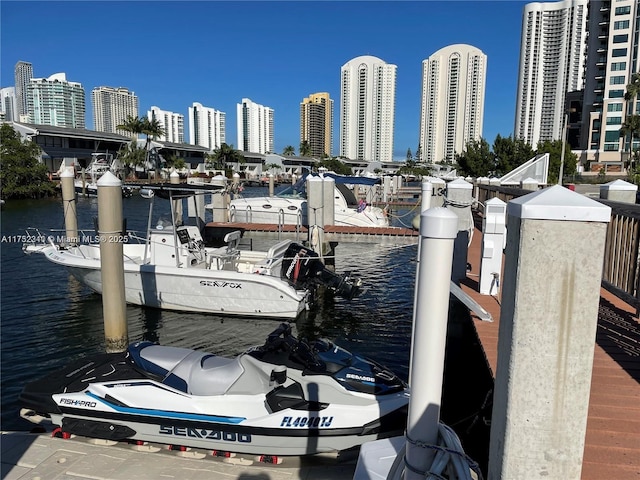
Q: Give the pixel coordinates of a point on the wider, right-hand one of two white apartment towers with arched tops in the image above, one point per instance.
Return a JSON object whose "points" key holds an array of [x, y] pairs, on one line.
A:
{"points": [[452, 106]]}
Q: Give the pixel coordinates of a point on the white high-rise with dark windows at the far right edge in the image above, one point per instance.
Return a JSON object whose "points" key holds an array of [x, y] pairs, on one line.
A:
{"points": [[613, 56]]}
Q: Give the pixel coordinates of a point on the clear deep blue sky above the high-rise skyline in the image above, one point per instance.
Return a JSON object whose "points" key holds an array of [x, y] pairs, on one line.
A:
{"points": [[276, 53]]}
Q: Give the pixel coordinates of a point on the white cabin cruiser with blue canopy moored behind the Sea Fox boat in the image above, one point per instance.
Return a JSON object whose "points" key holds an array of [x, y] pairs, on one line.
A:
{"points": [[289, 207]]}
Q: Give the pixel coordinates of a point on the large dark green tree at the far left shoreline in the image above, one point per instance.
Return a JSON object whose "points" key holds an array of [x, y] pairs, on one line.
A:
{"points": [[22, 175]]}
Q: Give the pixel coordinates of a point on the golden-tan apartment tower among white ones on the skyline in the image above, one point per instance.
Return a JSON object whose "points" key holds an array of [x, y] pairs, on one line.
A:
{"points": [[316, 123]]}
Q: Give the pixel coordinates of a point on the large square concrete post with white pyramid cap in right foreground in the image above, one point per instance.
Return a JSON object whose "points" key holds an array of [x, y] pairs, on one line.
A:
{"points": [[548, 321]]}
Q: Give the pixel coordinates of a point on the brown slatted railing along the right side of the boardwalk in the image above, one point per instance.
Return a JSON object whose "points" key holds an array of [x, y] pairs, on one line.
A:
{"points": [[621, 269]]}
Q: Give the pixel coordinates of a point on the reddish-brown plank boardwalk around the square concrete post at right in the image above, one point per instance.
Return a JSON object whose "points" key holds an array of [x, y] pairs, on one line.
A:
{"points": [[612, 444]]}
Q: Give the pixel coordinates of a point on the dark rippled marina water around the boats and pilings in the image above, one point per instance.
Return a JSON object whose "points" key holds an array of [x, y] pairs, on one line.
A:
{"points": [[49, 319]]}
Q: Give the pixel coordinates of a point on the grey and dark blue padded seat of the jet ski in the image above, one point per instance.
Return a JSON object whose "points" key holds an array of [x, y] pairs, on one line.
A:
{"points": [[193, 372]]}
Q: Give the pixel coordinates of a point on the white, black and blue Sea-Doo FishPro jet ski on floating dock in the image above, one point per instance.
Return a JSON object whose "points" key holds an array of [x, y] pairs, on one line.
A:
{"points": [[286, 397]]}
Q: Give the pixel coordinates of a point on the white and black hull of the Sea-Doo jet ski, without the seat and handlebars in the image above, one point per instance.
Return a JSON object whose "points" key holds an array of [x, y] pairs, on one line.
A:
{"points": [[107, 396]]}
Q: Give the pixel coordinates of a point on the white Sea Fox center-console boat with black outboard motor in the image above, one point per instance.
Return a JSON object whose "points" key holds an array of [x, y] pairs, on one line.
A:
{"points": [[171, 268]]}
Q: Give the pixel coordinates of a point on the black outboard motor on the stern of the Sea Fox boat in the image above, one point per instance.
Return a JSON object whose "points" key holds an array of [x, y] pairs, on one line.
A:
{"points": [[302, 267]]}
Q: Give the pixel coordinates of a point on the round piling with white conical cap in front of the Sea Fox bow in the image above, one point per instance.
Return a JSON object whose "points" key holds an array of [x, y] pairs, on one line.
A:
{"points": [[111, 239]]}
